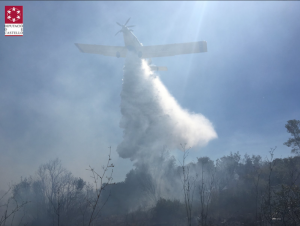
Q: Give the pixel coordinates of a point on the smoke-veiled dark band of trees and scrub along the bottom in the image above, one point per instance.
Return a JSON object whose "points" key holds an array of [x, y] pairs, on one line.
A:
{"points": [[233, 190]]}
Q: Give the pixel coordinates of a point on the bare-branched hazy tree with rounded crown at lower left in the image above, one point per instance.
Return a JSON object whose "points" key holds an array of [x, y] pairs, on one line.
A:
{"points": [[55, 196]]}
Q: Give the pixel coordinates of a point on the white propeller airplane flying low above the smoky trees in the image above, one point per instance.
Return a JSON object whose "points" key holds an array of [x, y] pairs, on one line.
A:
{"points": [[144, 52]]}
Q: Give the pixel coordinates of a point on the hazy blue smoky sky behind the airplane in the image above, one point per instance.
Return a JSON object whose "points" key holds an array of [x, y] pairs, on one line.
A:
{"points": [[58, 102]]}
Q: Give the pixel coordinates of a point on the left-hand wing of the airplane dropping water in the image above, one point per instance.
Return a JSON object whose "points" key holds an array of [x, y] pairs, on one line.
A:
{"points": [[115, 51]]}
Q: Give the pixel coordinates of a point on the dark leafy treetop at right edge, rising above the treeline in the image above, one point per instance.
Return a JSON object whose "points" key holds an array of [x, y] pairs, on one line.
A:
{"points": [[293, 127]]}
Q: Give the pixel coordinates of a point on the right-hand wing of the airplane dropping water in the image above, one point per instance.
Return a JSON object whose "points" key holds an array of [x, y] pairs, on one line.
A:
{"points": [[173, 49]]}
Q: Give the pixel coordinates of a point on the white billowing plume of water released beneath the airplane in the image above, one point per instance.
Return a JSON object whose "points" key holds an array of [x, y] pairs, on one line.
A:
{"points": [[152, 120]]}
